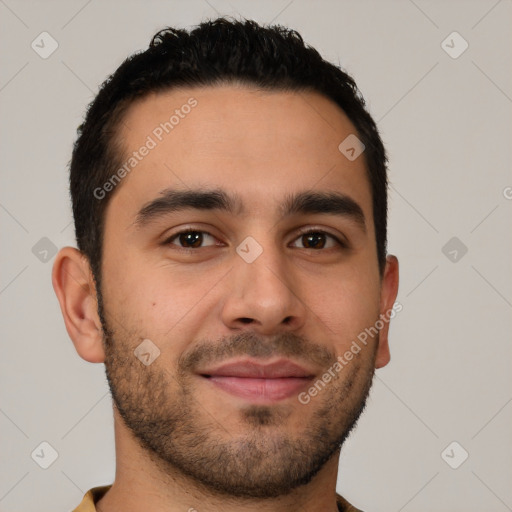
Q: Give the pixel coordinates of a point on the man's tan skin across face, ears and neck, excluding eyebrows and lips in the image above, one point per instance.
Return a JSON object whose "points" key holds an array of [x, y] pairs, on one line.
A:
{"points": [[308, 304]]}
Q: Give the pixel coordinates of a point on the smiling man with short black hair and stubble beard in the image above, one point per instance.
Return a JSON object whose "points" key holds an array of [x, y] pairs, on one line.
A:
{"points": [[229, 197]]}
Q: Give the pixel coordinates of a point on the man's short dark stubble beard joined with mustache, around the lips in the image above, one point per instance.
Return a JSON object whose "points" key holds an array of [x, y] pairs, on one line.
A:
{"points": [[160, 406]]}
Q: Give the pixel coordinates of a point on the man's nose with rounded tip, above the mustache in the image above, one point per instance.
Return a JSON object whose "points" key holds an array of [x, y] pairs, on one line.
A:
{"points": [[265, 295]]}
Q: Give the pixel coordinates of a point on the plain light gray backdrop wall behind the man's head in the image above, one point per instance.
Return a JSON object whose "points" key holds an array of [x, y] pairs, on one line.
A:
{"points": [[447, 125]]}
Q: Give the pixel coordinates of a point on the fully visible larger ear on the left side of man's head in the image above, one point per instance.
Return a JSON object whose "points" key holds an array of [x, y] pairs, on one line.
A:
{"points": [[74, 286]]}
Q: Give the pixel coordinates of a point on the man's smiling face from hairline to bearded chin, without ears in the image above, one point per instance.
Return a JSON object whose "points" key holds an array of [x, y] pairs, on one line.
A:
{"points": [[241, 244]]}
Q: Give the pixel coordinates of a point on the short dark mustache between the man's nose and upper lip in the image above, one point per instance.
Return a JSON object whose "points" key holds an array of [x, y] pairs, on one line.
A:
{"points": [[254, 345]]}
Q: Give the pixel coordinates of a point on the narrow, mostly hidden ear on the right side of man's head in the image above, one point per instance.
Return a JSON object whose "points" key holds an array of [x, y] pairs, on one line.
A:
{"points": [[388, 293]]}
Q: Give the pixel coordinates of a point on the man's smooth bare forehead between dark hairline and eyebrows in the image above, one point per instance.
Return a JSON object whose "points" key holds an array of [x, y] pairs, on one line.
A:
{"points": [[257, 144]]}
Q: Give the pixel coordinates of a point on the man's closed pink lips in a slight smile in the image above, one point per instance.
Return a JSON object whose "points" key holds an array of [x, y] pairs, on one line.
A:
{"points": [[260, 382]]}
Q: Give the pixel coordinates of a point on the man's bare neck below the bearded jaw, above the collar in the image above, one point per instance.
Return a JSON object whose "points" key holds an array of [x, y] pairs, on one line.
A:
{"points": [[141, 484]]}
